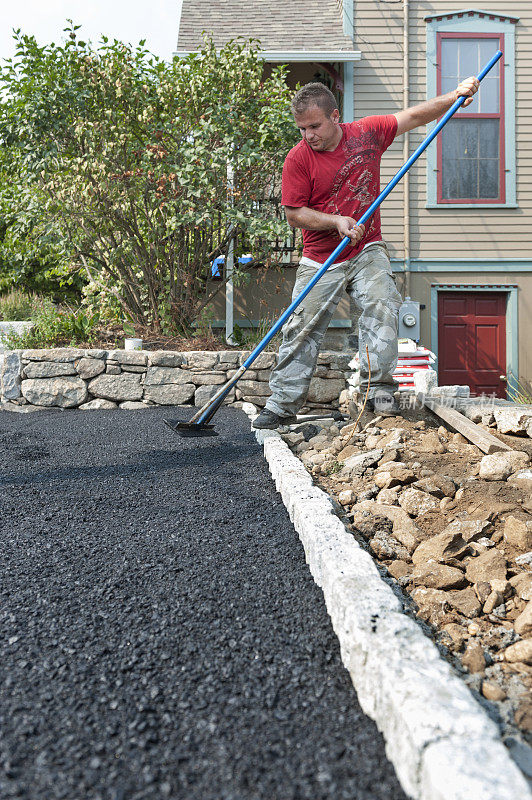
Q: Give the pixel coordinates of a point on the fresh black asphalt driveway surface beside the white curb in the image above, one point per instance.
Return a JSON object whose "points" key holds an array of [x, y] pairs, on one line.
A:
{"points": [[160, 634]]}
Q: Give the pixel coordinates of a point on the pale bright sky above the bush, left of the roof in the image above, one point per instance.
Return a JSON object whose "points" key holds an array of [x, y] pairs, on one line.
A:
{"points": [[128, 20]]}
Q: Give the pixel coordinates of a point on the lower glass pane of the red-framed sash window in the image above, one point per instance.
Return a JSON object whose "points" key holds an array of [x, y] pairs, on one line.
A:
{"points": [[470, 160]]}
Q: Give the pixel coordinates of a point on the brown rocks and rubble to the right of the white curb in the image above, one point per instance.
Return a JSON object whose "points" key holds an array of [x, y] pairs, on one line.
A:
{"points": [[452, 529]]}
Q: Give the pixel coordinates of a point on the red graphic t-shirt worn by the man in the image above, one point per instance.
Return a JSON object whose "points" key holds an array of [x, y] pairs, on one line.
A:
{"points": [[345, 181]]}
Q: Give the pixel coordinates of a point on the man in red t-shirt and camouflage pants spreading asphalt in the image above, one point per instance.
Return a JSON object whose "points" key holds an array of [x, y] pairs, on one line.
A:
{"points": [[329, 179]]}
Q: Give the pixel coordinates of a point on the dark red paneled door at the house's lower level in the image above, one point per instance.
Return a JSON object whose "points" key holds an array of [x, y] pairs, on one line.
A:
{"points": [[472, 340]]}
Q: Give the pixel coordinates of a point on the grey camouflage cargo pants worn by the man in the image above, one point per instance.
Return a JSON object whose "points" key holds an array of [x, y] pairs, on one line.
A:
{"points": [[368, 280]]}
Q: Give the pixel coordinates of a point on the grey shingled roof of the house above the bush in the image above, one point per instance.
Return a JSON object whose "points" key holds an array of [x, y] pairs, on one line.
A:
{"points": [[279, 25]]}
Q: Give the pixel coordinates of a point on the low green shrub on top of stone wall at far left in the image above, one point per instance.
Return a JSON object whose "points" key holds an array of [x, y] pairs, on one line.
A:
{"points": [[55, 326]]}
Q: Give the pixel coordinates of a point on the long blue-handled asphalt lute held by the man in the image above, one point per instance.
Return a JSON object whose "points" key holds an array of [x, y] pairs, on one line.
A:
{"points": [[198, 425]]}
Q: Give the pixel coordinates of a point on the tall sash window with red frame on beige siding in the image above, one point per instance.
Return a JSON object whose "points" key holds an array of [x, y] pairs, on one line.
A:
{"points": [[471, 146]]}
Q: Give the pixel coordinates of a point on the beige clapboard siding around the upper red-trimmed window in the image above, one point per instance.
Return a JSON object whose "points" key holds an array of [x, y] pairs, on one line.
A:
{"points": [[378, 90]]}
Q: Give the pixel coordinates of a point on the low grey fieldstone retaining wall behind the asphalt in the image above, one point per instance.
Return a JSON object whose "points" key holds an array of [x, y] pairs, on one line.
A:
{"points": [[88, 379]]}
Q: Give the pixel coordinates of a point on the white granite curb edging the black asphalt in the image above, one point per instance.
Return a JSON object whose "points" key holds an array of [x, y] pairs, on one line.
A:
{"points": [[441, 742]]}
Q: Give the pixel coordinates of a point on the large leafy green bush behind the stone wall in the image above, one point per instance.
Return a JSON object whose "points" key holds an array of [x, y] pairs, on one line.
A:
{"points": [[146, 170]]}
